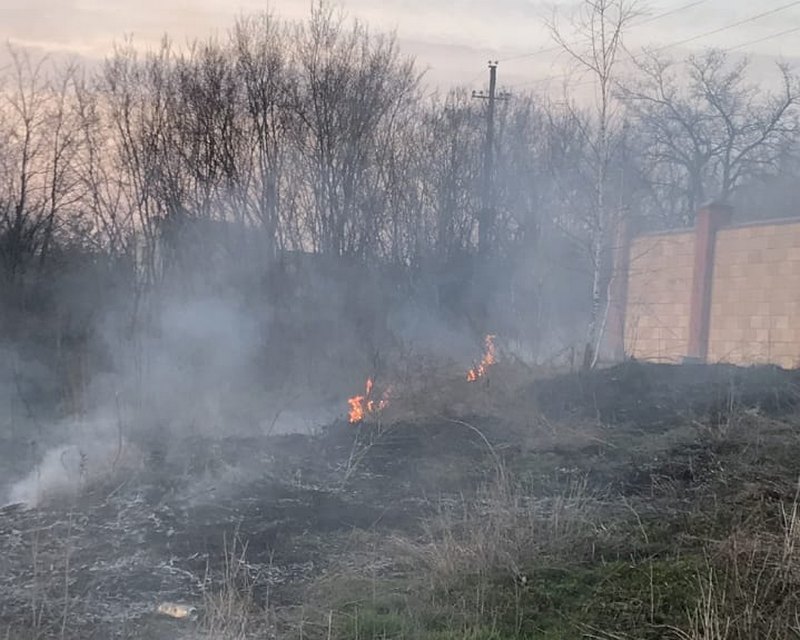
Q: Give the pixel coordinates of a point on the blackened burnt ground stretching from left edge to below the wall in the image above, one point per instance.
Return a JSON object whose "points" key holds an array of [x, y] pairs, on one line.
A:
{"points": [[681, 442]]}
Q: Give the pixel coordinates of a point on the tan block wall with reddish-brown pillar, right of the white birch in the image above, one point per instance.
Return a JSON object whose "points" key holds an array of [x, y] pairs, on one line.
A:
{"points": [[732, 296]]}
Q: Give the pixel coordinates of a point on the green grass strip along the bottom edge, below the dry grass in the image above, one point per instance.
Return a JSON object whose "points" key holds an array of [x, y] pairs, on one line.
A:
{"points": [[548, 604]]}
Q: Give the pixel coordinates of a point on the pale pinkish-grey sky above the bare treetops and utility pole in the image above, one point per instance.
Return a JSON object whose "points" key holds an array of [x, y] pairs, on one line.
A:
{"points": [[451, 39]]}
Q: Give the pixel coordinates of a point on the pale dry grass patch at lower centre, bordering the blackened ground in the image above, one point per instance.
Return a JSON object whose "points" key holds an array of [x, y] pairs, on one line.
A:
{"points": [[387, 587]]}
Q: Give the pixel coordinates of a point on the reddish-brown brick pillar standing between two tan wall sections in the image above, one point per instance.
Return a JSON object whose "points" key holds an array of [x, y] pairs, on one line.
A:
{"points": [[710, 219]]}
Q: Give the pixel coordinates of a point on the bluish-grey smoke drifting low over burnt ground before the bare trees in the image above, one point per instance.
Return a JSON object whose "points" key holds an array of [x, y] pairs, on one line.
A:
{"points": [[111, 375]]}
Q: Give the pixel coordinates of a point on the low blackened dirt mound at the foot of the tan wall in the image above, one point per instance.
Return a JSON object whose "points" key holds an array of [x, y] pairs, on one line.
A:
{"points": [[659, 394]]}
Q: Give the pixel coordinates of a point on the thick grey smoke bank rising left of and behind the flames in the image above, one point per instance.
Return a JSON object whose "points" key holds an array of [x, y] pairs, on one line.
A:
{"points": [[154, 373]]}
